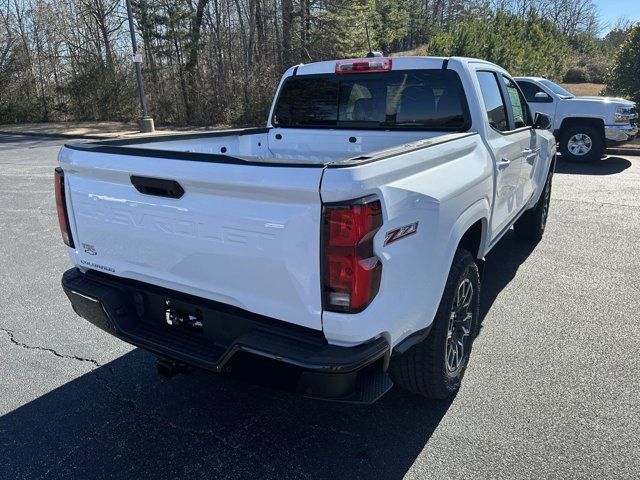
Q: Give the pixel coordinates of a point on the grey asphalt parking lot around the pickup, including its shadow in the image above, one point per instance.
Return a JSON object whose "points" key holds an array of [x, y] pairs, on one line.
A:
{"points": [[552, 390]]}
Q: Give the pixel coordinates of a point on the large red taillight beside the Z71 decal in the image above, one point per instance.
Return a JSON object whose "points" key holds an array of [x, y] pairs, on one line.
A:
{"points": [[351, 269]]}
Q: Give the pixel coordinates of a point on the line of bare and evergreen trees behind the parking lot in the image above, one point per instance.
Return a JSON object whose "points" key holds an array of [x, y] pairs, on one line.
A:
{"points": [[219, 61]]}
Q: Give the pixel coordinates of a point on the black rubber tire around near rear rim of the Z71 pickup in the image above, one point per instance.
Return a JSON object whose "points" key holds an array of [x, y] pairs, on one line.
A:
{"points": [[423, 368]]}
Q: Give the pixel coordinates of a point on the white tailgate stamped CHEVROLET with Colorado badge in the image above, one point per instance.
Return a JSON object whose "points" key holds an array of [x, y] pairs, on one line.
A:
{"points": [[244, 235]]}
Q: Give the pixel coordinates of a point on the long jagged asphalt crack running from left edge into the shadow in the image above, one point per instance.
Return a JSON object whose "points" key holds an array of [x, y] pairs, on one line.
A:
{"points": [[133, 406]]}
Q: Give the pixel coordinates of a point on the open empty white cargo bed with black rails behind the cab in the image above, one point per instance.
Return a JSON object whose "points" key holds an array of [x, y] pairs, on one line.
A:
{"points": [[306, 147]]}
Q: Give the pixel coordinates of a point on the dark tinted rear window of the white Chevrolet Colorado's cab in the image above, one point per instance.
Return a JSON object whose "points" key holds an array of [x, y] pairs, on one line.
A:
{"points": [[406, 100]]}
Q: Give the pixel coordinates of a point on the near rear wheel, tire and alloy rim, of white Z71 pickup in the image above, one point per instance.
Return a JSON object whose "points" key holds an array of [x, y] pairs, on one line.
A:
{"points": [[434, 367]]}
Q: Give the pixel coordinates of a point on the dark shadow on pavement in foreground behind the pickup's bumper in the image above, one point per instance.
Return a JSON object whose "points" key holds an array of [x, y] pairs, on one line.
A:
{"points": [[123, 421]]}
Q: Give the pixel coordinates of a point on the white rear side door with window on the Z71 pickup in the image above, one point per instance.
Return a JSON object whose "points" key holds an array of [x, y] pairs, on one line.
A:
{"points": [[504, 142]]}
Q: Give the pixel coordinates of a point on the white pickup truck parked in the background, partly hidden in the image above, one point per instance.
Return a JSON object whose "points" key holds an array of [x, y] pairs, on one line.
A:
{"points": [[584, 126]]}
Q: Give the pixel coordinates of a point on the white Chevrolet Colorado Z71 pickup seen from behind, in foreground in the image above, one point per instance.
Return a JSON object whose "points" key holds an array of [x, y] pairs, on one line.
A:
{"points": [[334, 251]]}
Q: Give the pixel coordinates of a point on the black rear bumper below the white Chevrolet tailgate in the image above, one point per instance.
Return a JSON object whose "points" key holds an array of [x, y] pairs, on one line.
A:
{"points": [[230, 338]]}
